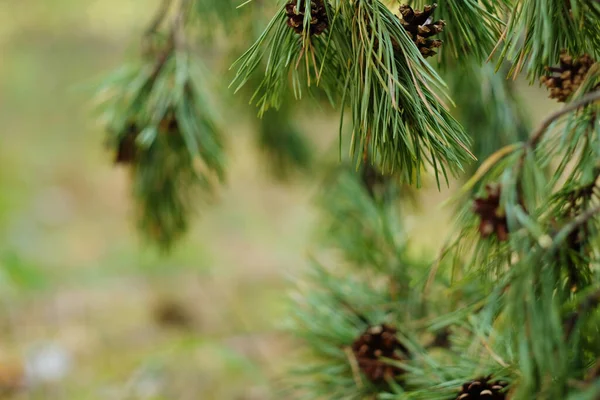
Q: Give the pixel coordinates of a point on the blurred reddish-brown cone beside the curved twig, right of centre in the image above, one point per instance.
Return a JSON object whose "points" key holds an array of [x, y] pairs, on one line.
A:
{"points": [[493, 217]]}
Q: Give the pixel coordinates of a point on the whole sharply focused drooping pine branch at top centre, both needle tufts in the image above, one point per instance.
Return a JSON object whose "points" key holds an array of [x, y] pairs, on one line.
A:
{"points": [[365, 59]]}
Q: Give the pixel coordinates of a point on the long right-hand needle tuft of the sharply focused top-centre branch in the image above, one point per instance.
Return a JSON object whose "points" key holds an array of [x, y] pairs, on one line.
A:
{"points": [[411, 128]]}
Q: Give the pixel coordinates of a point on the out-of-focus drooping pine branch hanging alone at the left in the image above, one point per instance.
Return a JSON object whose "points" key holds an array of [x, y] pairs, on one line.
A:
{"points": [[161, 125]]}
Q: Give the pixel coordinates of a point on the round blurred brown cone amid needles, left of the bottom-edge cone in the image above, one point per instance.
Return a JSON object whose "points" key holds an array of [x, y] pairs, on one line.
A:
{"points": [[377, 342]]}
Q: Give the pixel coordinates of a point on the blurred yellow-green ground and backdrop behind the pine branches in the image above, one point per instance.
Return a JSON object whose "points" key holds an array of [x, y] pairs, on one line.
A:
{"points": [[87, 311]]}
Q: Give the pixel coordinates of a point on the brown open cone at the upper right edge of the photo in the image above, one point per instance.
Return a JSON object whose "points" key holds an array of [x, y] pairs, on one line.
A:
{"points": [[565, 79]]}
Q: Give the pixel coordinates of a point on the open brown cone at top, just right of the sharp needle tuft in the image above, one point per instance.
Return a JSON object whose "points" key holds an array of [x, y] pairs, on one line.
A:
{"points": [[421, 27]]}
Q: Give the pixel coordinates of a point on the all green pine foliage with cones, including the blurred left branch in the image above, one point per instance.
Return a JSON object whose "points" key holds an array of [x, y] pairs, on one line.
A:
{"points": [[509, 307]]}
